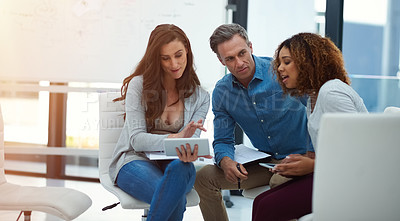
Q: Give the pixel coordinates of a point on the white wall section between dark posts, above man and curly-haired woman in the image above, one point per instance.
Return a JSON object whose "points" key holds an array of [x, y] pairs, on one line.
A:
{"points": [[272, 21]]}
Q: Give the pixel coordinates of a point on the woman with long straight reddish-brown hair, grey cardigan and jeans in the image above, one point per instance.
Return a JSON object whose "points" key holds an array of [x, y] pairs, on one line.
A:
{"points": [[163, 99]]}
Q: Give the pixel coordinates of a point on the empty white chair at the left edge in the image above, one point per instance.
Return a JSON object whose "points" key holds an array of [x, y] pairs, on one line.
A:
{"points": [[62, 202]]}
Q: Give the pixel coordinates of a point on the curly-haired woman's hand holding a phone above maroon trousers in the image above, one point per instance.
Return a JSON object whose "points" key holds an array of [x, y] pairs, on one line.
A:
{"points": [[294, 165]]}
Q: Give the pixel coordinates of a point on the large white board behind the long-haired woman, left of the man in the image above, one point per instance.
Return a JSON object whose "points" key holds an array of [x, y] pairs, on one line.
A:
{"points": [[99, 40]]}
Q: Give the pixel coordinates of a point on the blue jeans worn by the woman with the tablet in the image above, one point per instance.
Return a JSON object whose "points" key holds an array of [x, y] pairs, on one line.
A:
{"points": [[162, 184]]}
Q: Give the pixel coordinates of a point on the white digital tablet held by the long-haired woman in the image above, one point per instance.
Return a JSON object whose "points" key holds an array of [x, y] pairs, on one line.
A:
{"points": [[171, 143]]}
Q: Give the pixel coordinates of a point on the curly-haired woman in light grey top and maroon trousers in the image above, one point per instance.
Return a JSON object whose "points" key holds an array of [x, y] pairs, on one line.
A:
{"points": [[306, 65]]}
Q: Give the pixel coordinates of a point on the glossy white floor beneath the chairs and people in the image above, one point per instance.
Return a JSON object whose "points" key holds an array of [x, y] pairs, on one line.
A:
{"points": [[241, 211]]}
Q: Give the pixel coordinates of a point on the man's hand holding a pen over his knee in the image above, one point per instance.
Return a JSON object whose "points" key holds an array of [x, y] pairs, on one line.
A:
{"points": [[232, 174]]}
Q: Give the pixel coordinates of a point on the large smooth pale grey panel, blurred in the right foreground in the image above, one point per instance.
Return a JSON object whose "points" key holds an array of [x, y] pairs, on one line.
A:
{"points": [[357, 168]]}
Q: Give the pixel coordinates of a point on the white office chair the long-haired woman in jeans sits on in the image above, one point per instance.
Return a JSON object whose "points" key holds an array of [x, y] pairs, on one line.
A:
{"points": [[110, 126]]}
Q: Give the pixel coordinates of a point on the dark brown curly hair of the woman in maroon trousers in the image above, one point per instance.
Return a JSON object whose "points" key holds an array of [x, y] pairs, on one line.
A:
{"points": [[318, 60]]}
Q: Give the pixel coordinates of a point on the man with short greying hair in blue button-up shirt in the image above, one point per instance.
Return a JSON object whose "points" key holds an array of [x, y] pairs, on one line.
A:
{"points": [[251, 97]]}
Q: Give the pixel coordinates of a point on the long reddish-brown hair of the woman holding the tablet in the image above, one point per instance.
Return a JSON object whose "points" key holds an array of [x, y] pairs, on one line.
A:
{"points": [[153, 95]]}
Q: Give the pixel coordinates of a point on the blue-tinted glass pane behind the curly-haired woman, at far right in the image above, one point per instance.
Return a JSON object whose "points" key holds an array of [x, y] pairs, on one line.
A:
{"points": [[371, 51]]}
